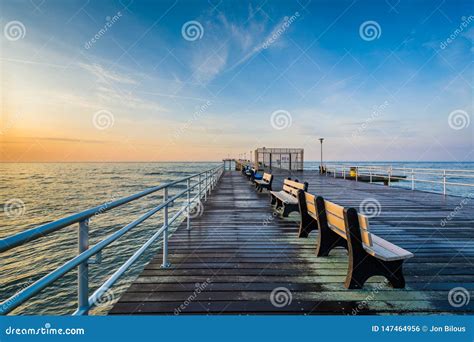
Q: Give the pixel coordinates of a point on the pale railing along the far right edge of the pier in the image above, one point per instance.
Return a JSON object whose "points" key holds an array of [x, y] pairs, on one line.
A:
{"points": [[443, 177]]}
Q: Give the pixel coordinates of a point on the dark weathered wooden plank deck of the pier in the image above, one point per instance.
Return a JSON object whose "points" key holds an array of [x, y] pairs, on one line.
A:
{"points": [[239, 251]]}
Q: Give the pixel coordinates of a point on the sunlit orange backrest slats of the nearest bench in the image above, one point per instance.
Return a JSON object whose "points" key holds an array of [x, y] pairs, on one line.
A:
{"points": [[335, 218]]}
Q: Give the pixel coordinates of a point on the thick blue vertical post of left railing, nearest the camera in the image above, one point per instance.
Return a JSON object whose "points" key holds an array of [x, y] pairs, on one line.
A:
{"points": [[83, 271]]}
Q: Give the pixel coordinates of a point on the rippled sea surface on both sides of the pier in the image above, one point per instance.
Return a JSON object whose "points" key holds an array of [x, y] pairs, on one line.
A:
{"points": [[50, 191]]}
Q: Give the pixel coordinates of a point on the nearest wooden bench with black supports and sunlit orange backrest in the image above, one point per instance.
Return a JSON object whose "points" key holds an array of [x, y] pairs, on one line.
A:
{"points": [[369, 255]]}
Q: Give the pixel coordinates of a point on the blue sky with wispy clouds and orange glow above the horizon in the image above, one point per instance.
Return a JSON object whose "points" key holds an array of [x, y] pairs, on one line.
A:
{"points": [[139, 80]]}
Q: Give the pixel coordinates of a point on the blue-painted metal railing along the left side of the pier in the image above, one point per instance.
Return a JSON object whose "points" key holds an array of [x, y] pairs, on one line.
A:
{"points": [[204, 182]]}
